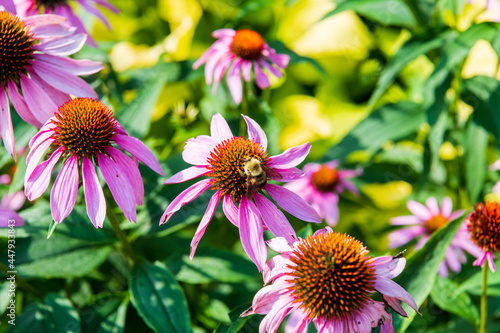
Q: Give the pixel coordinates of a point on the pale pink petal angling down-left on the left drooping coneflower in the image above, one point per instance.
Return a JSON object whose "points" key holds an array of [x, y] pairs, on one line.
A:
{"points": [[39, 179]]}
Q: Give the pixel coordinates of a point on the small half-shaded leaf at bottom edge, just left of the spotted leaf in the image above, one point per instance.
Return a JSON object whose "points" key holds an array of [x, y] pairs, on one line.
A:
{"points": [[107, 315]]}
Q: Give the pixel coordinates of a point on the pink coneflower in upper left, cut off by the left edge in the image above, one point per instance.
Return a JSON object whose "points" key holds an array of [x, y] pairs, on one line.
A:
{"points": [[36, 76]]}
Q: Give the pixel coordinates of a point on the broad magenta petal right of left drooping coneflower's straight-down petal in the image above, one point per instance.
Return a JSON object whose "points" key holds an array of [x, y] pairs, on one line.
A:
{"points": [[119, 185]]}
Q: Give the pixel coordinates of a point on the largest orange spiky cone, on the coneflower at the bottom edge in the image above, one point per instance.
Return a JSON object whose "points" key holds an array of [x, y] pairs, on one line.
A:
{"points": [[332, 275]]}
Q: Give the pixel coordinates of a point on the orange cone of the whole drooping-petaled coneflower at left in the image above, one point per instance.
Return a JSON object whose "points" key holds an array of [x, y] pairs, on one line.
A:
{"points": [[85, 127]]}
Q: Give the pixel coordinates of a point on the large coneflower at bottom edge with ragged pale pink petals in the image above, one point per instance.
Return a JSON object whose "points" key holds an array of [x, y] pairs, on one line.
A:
{"points": [[329, 279]]}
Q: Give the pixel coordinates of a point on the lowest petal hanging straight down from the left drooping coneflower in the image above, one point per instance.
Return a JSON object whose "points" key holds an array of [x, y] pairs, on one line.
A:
{"points": [[94, 196]]}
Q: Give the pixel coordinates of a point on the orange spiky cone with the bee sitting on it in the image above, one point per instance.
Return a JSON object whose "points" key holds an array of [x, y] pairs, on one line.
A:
{"points": [[227, 164]]}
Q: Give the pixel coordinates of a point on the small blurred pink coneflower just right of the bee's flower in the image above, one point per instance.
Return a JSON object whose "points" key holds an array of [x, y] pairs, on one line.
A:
{"points": [[321, 187]]}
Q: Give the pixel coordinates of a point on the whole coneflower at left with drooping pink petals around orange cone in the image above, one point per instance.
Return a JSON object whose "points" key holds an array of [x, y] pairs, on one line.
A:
{"points": [[81, 134]]}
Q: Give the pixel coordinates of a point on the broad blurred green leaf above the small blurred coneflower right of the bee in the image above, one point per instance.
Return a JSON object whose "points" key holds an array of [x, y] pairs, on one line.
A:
{"points": [[387, 123]]}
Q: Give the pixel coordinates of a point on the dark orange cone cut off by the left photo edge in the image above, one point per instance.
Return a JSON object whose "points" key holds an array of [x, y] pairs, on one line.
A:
{"points": [[16, 44]]}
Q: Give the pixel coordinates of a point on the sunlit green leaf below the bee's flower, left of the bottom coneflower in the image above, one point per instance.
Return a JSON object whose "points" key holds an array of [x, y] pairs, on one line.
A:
{"points": [[211, 265]]}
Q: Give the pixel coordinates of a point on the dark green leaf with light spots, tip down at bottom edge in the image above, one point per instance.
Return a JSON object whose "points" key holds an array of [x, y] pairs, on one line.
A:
{"points": [[158, 298]]}
